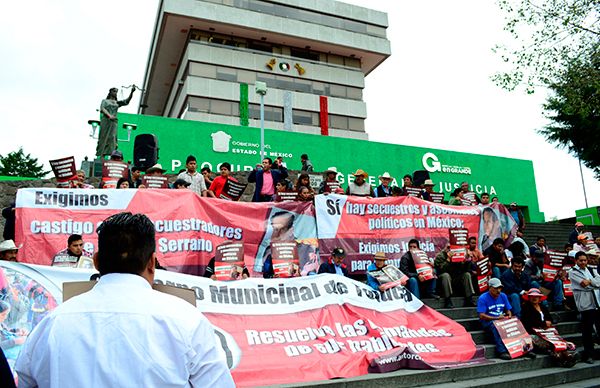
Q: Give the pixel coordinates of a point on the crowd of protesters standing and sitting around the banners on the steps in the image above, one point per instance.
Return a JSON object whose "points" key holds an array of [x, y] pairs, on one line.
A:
{"points": [[516, 287]]}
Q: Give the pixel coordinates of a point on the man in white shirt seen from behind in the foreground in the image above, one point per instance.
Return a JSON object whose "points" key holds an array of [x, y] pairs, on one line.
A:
{"points": [[123, 333]]}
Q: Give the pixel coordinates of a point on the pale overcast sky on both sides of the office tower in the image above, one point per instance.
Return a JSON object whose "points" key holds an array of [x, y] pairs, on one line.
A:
{"points": [[60, 58]]}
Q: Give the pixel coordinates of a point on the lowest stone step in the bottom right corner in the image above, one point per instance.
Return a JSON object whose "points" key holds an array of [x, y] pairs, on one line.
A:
{"points": [[538, 377]]}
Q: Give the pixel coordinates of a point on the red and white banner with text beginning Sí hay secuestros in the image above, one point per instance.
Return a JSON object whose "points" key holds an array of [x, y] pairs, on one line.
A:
{"points": [[363, 226]]}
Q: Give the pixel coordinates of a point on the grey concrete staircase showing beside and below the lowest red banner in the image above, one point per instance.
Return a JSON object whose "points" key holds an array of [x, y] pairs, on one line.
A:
{"points": [[528, 373]]}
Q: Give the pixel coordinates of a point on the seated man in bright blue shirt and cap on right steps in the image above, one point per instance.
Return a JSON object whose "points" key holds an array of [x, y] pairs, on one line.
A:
{"points": [[492, 306]]}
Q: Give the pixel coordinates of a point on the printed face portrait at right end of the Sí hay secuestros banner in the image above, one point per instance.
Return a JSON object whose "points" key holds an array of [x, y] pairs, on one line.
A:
{"points": [[496, 222]]}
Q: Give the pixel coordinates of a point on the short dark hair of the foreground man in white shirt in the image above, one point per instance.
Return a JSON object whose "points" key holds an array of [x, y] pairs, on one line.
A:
{"points": [[125, 244]]}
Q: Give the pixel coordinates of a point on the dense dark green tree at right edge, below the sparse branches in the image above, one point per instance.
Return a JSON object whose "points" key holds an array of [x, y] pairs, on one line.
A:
{"points": [[574, 110]]}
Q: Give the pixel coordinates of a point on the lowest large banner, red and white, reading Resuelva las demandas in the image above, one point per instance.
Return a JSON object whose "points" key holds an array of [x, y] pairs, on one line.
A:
{"points": [[302, 329]]}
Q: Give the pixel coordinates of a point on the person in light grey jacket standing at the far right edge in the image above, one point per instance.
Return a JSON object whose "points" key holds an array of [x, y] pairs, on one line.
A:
{"points": [[585, 282]]}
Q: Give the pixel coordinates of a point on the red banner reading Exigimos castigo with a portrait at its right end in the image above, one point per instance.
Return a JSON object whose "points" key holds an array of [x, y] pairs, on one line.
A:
{"points": [[188, 227]]}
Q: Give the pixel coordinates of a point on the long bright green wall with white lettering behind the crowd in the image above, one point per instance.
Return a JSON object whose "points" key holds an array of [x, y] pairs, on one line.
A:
{"points": [[509, 179]]}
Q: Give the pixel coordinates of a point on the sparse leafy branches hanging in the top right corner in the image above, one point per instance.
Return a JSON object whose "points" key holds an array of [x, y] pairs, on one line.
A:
{"points": [[546, 36]]}
